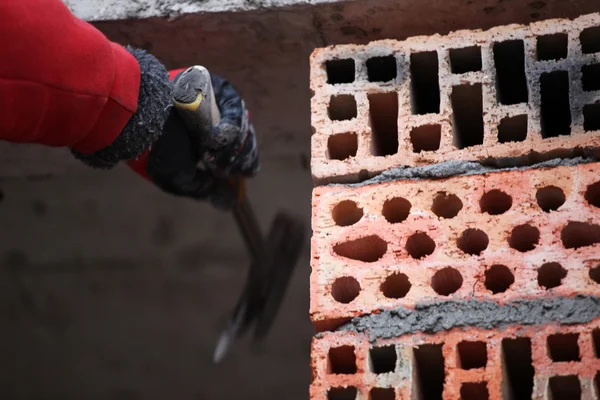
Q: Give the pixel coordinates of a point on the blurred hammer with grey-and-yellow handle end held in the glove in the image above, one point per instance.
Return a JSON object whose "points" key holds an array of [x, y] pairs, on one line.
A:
{"points": [[272, 260]]}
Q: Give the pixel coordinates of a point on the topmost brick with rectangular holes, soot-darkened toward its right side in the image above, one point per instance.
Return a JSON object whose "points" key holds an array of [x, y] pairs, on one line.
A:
{"points": [[511, 91]]}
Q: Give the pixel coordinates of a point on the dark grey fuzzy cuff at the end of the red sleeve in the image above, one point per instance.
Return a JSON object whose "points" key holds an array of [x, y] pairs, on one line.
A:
{"points": [[146, 125]]}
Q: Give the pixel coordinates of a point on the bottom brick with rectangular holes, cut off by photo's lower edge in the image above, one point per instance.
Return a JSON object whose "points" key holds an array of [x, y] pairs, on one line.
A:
{"points": [[544, 362]]}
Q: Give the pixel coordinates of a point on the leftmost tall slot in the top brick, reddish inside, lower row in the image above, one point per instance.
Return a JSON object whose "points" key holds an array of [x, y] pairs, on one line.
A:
{"points": [[383, 112]]}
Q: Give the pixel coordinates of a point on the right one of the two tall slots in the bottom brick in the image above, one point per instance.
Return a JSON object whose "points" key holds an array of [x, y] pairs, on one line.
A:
{"points": [[518, 371]]}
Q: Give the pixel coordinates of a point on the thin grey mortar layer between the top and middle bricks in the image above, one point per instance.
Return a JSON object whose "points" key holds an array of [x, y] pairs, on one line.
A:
{"points": [[458, 168]]}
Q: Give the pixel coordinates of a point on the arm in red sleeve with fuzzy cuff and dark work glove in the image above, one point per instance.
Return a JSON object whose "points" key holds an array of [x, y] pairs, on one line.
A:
{"points": [[110, 104]]}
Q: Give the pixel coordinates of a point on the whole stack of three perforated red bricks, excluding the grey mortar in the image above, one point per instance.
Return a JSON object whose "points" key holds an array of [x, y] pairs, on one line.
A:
{"points": [[514, 95]]}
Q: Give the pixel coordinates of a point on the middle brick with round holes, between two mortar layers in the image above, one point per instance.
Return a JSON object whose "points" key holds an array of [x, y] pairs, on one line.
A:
{"points": [[500, 236]]}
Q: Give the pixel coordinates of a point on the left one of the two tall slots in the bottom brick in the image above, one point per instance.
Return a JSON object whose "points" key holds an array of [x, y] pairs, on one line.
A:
{"points": [[429, 362]]}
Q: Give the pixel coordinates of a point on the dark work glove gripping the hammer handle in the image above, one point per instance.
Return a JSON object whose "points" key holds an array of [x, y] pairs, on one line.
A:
{"points": [[230, 148]]}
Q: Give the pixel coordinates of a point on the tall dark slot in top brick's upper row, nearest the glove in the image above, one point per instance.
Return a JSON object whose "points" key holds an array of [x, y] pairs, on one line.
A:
{"points": [[425, 86]]}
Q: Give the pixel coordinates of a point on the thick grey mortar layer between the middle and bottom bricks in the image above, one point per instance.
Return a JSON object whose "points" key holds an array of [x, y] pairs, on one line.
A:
{"points": [[438, 316]]}
